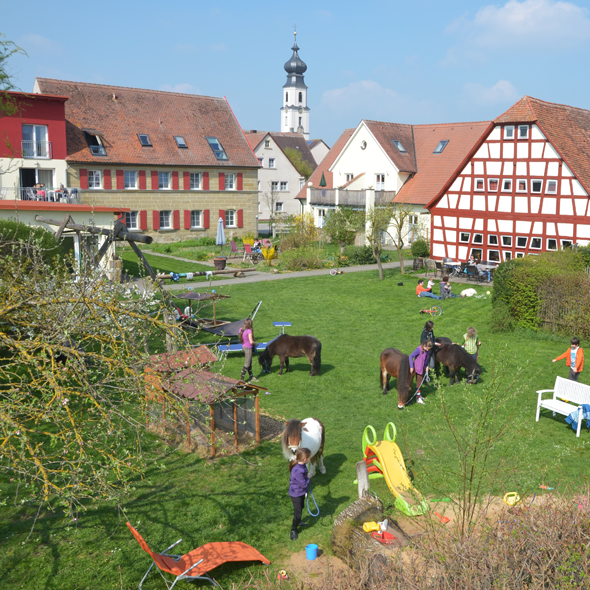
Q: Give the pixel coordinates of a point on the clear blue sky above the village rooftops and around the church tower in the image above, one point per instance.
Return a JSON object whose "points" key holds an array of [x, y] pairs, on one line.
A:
{"points": [[420, 62]]}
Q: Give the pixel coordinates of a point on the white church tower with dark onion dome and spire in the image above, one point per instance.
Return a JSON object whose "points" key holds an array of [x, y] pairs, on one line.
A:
{"points": [[295, 112]]}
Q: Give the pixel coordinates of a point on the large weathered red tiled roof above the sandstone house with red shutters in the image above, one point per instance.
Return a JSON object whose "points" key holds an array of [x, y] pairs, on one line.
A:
{"points": [[161, 115]]}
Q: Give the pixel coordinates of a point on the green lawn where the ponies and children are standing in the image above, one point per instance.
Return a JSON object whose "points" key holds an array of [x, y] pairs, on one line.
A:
{"points": [[245, 497]]}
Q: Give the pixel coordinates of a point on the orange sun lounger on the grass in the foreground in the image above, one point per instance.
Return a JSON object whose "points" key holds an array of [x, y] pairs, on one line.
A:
{"points": [[197, 563]]}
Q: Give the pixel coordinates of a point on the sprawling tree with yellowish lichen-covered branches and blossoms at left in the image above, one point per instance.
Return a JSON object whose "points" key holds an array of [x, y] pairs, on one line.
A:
{"points": [[72, 394]]}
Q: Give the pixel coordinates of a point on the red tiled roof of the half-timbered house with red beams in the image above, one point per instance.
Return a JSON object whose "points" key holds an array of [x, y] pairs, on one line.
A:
{"points": [[568, 129]]}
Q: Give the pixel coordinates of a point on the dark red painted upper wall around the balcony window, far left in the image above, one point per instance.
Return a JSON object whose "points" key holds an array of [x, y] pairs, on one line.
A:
{"points": [[35, 109]]}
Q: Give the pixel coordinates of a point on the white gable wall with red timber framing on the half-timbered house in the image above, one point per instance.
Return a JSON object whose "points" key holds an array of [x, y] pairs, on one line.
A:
{"points": [[515, 196]]}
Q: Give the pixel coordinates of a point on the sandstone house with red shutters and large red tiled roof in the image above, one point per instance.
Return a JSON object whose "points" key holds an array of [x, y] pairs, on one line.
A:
{"points": [[178, 162]]}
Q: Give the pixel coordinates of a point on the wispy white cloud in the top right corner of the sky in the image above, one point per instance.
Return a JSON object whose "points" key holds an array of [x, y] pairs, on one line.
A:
{"points": [[530, 25]]}
